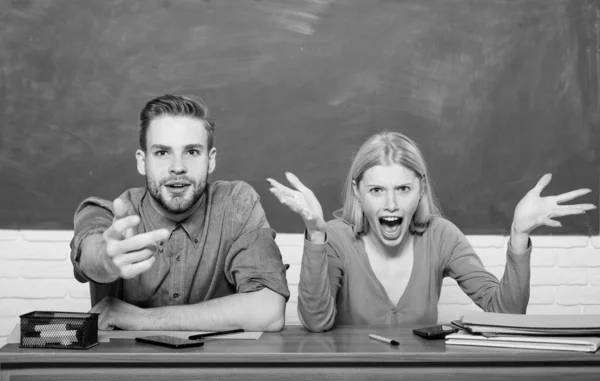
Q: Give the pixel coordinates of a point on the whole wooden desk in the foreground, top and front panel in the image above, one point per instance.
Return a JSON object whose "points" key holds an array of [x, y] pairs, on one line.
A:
{"points": [[343, 354]]}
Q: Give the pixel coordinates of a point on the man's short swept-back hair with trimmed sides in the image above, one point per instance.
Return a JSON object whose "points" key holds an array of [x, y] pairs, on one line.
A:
{"points": [[175, 105]]}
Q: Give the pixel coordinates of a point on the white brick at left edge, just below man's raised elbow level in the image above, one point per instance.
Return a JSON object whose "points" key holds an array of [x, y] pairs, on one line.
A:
{"points": [[32, 288]]}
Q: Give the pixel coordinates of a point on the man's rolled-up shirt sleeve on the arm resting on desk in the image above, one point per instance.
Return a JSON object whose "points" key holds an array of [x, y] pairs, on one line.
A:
{"points": [[254, 259]]}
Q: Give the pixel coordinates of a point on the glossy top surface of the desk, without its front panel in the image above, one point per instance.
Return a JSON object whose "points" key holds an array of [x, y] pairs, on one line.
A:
{"points": [[294, 343]]}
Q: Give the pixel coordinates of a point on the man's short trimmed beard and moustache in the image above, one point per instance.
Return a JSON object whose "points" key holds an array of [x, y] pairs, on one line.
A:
{"points": [[177, 204]]}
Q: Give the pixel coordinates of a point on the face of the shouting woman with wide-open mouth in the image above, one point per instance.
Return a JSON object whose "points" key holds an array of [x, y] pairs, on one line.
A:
{"points": [[389, 196]]}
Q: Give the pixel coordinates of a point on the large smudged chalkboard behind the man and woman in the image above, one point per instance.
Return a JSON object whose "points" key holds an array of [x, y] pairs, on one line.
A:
{"points": [[496, 93]]}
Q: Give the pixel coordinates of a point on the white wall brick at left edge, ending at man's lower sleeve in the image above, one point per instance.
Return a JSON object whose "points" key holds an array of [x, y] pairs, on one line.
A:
{"points": [[37, 269]]}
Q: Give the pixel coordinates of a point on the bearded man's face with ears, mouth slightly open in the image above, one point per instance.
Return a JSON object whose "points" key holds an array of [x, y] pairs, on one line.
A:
{"points": [[177, 161]]}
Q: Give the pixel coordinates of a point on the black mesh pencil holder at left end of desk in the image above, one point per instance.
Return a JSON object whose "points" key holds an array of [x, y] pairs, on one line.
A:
{"points": [[65, 330]]}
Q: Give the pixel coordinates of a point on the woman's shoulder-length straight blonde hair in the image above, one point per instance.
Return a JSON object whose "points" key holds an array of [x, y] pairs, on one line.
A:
{"points": [[388, 148]]}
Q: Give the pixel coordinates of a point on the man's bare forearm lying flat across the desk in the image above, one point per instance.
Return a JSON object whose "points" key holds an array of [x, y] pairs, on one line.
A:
{"points": [[262, 310]]}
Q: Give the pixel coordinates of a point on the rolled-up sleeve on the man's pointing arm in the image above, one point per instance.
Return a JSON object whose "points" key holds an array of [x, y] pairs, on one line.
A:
{"points": [[93, 216]]}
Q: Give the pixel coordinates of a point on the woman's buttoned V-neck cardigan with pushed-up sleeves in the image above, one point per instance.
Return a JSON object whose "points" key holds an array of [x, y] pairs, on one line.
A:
{"points": [[338, 285]]}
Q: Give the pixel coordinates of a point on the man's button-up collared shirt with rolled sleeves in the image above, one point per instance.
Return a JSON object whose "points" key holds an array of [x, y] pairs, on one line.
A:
{"points": [[226, 246]]}
